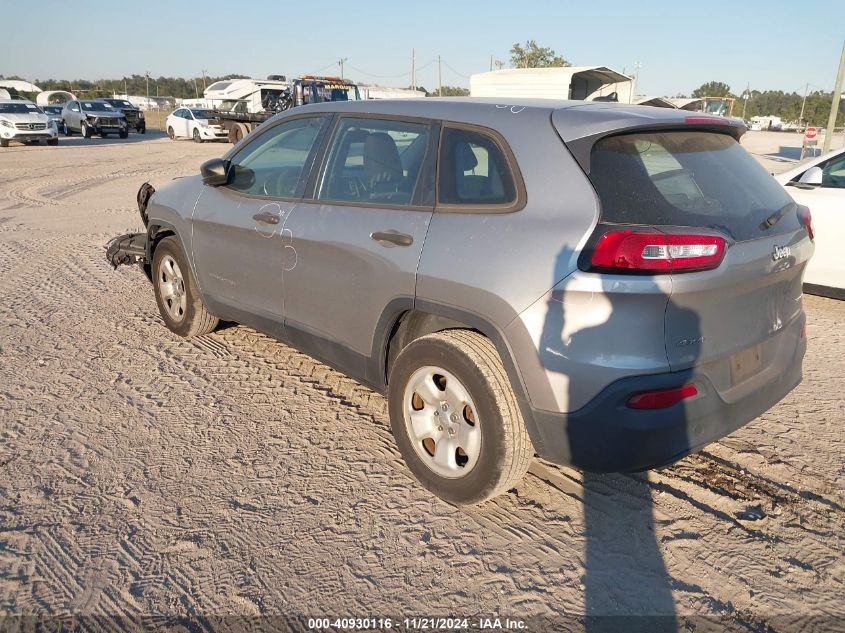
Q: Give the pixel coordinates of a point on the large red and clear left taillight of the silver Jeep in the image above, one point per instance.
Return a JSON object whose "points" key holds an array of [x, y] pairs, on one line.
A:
{"points": [[657, 252]]}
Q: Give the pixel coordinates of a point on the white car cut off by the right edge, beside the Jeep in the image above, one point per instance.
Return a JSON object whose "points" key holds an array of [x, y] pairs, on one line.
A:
{"points": [[819, 184]]}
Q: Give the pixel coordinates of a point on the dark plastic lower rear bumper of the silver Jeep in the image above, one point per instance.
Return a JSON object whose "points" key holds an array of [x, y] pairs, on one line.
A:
{"points": [[607, 436]]}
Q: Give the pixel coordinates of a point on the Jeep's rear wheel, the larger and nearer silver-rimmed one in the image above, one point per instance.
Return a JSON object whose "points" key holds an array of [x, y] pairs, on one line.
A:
{"points": [[456, 419]]}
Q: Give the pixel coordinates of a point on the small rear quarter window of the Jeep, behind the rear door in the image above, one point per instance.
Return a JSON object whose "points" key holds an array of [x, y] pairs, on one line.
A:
{"points": [[473, 170]]}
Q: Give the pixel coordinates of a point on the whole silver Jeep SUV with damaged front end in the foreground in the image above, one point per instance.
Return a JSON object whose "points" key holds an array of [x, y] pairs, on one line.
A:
{"points": [[602, 285]]}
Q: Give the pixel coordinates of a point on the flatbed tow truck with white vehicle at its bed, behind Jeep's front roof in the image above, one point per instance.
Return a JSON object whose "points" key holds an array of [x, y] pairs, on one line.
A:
{"points": [[244, 104]]}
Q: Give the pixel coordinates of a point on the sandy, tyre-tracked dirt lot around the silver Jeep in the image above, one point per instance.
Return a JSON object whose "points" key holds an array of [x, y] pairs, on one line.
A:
{"points": [[142, 474]]}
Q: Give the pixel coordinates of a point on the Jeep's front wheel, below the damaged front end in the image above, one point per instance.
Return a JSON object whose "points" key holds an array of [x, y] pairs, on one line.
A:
{"points": [[177, 296]]}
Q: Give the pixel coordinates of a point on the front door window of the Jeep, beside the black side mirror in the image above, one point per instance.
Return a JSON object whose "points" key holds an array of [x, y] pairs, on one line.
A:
{"points": [[274, 163]]}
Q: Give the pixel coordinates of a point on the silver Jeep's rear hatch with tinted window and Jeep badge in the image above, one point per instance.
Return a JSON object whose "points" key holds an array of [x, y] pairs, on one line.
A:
{"points": [[738, 320]]}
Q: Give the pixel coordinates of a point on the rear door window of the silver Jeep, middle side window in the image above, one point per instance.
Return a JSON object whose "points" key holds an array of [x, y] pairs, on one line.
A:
{"points": [[375, 161]]}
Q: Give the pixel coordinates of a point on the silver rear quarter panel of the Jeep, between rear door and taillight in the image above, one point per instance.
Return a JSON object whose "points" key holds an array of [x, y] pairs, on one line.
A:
{"points": [[495, 265]]}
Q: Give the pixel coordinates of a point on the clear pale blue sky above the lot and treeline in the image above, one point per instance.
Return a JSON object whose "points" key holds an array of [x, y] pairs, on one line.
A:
{"points": [[772, 45]]}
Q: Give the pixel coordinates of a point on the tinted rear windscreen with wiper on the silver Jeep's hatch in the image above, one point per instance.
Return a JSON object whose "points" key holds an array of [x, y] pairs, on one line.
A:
{"points": [[679, 178]]}
